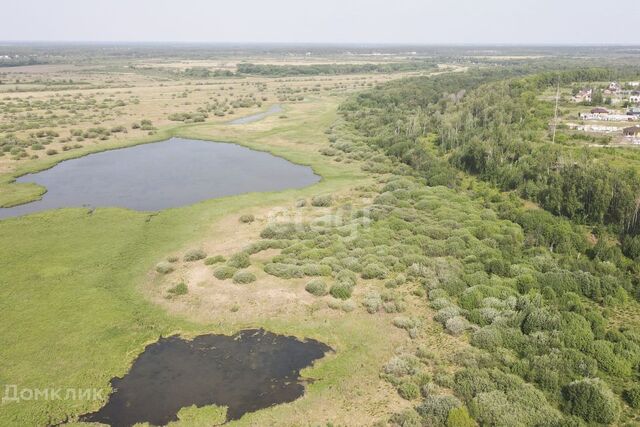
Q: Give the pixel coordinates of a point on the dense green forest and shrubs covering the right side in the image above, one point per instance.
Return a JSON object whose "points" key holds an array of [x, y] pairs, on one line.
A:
{"points": [[533, 256]]}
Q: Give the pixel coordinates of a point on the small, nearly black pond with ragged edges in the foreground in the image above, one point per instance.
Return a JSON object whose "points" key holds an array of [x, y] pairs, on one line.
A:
{"points": [[248, 371]]}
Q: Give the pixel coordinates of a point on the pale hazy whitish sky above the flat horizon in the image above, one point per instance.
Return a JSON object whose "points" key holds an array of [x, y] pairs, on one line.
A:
{"points": [[335, 21]]}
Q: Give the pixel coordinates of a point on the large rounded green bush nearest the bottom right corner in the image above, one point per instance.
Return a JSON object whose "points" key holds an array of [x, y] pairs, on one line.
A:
{"points": [[591, 400]]}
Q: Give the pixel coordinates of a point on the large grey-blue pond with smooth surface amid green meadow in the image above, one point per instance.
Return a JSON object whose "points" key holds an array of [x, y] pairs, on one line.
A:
{"points": [[161, 175]]}
